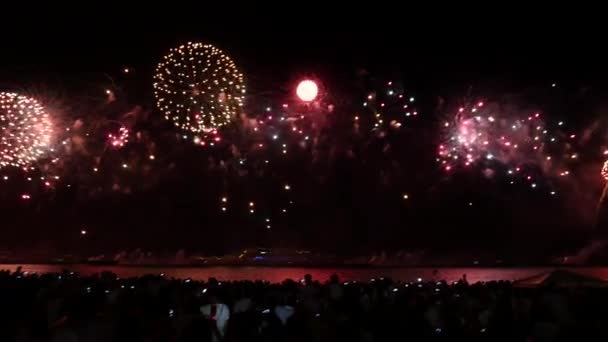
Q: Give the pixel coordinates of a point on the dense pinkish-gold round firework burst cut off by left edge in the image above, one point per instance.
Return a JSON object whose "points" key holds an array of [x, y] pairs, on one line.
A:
{"points": [[25, 130]]}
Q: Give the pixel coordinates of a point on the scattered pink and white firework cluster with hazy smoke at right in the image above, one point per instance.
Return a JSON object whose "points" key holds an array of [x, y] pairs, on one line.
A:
{"points": [[484, 135]]}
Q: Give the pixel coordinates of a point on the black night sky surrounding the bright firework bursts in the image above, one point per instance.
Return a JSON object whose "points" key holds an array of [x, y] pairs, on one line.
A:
{"points": [[346, 193]]}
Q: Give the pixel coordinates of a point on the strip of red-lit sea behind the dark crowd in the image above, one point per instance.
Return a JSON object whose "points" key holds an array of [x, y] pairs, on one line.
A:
{"points": [[278, 274]]}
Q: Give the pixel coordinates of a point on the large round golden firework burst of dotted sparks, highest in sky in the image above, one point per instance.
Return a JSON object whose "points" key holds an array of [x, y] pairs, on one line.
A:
{"points": [[198, 87]]}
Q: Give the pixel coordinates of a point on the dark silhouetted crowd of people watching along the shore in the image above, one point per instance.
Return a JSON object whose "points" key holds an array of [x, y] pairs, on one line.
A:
{"points": [[104, 307]]}
